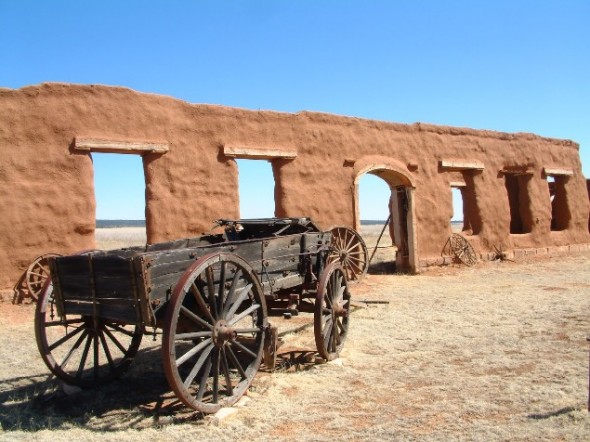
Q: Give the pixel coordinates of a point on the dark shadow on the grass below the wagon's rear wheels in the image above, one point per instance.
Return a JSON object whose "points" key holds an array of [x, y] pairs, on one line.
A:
{"points": [[140, 399]]}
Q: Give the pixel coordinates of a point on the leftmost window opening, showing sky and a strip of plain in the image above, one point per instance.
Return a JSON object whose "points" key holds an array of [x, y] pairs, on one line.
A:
{"points": [[119, 189]]}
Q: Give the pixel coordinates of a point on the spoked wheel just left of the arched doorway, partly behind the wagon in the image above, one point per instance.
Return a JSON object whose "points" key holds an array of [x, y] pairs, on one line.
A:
{"points": [[349, 249]]}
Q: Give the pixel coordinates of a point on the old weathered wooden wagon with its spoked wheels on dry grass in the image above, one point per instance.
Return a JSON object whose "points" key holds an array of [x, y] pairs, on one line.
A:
{"points": [[211, 296]]}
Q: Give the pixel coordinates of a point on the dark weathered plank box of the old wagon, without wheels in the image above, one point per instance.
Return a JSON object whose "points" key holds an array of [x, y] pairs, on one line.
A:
{"points": [[130, 285]]}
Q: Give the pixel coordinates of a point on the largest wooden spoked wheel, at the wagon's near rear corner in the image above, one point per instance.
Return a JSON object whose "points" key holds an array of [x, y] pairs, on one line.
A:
{"points": [[214, 331]]}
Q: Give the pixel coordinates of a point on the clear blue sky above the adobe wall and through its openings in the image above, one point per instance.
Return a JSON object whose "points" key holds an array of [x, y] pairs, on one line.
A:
{"points": [[515, 66]]}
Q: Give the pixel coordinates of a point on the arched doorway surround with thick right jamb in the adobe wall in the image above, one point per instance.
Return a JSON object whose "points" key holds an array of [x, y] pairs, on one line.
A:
{"points": [[401, 209]]}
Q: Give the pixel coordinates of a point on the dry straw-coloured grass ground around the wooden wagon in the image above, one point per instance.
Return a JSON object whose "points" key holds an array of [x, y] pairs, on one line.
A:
{"points": [[495, 352]]}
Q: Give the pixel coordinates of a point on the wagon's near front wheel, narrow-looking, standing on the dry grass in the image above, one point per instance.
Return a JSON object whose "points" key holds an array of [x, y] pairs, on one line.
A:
{"points": [[332, 308]]}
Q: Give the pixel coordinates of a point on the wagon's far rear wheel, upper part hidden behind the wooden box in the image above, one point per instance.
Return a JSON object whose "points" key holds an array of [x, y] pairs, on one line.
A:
{"points": [[80, 351]]}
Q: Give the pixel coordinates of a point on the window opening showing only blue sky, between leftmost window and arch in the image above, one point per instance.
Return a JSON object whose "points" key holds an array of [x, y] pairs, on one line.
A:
{"points": [[256, 189]]}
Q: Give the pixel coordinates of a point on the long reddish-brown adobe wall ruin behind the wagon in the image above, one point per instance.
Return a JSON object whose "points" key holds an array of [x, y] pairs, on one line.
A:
{"points": [[48, 133]]}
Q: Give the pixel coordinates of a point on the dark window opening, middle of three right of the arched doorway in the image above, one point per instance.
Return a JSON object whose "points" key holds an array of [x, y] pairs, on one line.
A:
{"points": [[519, 202]]}
